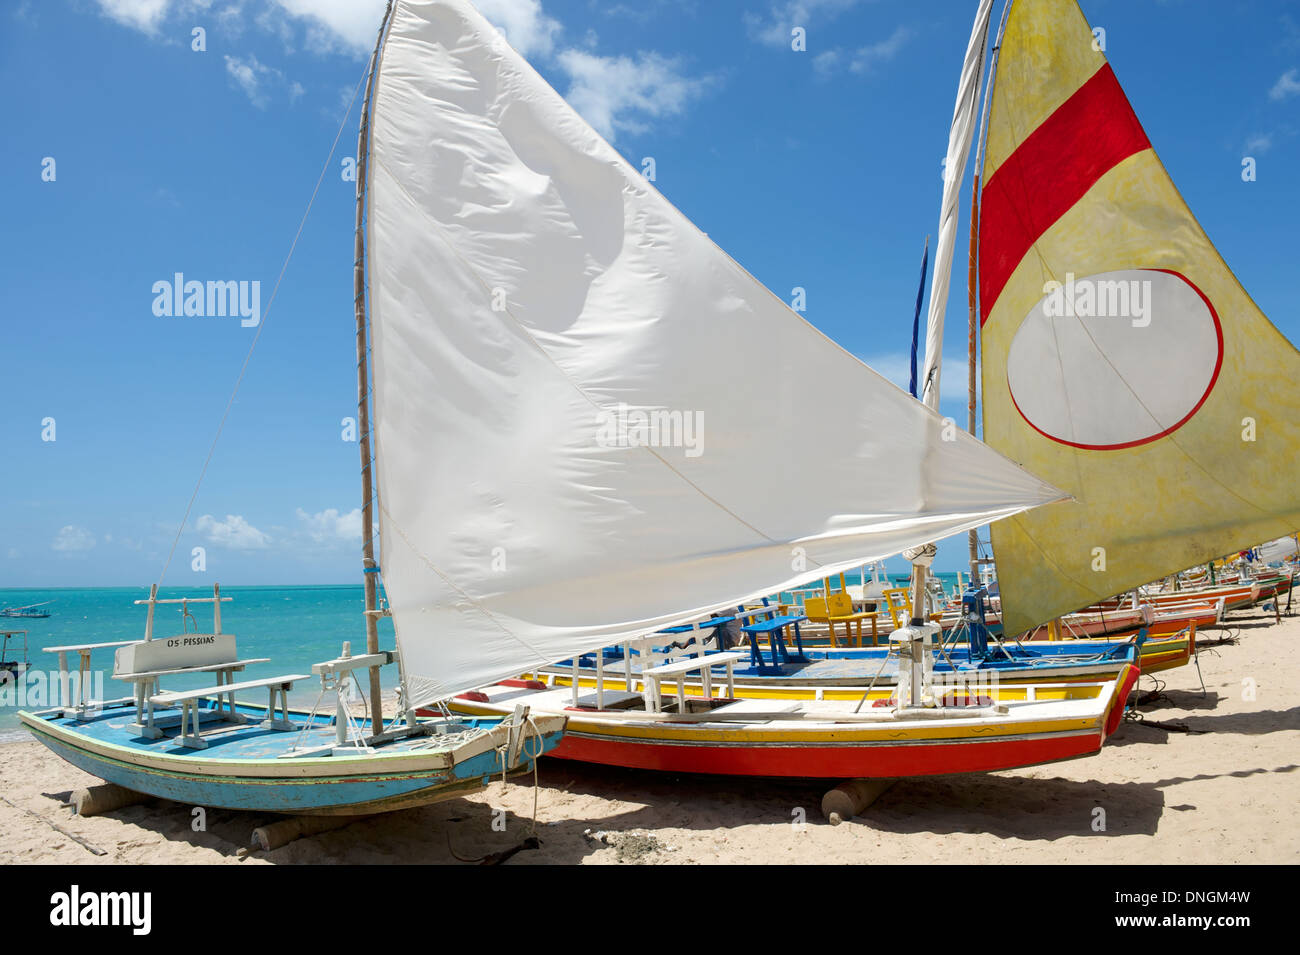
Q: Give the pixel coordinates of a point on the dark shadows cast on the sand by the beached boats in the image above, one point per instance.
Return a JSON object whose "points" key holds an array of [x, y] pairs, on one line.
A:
{"points": [[1008, 808]]}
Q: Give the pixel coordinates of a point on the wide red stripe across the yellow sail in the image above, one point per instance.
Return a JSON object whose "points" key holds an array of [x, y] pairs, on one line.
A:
{"points": [[1087, 137]]}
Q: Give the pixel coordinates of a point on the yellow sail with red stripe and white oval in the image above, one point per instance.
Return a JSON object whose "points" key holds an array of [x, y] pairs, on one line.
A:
{"points": [[1124, 362]]}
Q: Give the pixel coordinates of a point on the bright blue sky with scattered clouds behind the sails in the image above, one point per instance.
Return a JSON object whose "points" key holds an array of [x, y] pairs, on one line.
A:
{"points": [[817, 170]]}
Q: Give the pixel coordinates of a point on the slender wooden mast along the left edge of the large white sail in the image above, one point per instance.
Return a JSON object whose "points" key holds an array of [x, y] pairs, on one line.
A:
{"points": [[363, 392]]}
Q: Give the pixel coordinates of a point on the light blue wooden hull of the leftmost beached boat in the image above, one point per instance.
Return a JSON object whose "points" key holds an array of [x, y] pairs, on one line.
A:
{"points": [[245, 770]]}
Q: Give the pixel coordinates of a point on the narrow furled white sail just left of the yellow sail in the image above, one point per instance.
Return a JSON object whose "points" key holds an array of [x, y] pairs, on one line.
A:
{"points": [[960, 136]]}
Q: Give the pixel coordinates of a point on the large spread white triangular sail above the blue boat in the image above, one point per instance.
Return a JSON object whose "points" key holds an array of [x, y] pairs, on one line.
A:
{"points": [[532, 296]]}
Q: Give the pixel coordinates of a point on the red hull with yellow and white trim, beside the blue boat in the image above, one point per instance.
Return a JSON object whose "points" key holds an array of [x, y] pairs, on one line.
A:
{"points": [[1073, 723]]}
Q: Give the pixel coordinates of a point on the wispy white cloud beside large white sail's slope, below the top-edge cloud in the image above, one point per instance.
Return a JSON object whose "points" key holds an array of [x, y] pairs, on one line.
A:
{"points": [[617, 93]]}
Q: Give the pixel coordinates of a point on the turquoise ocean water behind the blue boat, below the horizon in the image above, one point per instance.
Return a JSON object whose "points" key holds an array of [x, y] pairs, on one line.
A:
{"points": [[294, 627]]}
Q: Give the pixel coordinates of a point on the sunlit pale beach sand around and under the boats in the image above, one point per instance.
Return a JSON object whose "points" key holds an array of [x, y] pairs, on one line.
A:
{"points": [[1225, 793]]}
